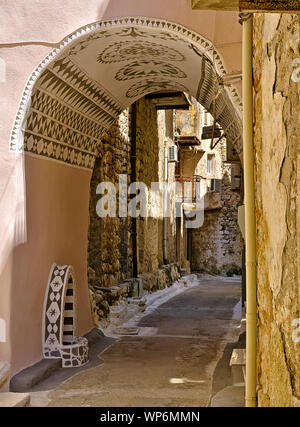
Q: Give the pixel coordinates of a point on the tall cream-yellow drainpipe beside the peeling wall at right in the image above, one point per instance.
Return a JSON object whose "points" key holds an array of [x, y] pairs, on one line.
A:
{"points": [[250, 228]]}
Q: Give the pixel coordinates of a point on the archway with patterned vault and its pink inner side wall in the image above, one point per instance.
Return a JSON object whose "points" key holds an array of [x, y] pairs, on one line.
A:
{"points": [[69, 102]]}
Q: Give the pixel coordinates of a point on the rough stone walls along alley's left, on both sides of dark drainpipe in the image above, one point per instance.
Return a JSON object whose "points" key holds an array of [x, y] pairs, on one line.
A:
{"points": [[110, 240]]}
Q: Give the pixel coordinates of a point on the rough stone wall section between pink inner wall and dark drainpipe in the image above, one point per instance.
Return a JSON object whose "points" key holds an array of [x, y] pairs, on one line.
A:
{"points": [[109, 253]]}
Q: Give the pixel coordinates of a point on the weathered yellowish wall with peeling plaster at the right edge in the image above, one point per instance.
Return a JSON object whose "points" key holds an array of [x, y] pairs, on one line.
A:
{"points": [[277, 112]]}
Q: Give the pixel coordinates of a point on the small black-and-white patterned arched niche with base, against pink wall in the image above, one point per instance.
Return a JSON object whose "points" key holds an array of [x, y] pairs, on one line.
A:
{"points": [[59, 340]]}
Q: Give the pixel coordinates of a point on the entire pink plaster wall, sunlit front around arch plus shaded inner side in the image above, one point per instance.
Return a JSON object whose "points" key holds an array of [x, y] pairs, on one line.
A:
{"points": [[57, 195]]}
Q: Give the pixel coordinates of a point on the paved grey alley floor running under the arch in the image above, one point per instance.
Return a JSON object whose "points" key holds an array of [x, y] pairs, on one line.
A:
{"points": [[170, 363]]}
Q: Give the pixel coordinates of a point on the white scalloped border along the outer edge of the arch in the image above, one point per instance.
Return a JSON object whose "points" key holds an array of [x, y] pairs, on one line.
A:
{"points": [[206, 47]]}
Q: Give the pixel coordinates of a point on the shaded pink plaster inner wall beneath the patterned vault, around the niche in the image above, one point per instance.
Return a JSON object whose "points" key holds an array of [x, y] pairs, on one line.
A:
{"points": [[57, 201]]}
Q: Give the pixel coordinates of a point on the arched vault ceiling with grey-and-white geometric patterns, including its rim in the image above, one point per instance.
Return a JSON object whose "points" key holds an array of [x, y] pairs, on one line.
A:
{"points": [[78, 91]]}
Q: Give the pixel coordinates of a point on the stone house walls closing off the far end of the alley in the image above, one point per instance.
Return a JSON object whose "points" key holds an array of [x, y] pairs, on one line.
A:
{"points": [[217, 244]]}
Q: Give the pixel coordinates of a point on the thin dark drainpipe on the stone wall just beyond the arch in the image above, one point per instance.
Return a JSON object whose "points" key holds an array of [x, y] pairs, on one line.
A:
{"points": [[133, 179]]}
